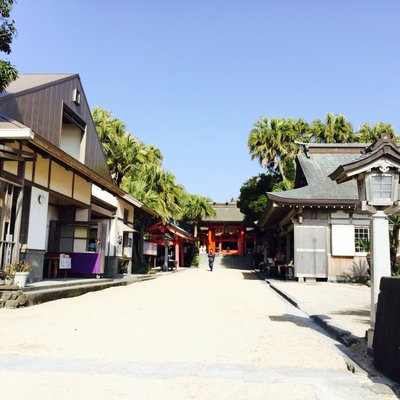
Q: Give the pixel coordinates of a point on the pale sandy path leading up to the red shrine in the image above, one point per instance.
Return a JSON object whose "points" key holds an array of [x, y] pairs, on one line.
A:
{"points": [[189, 335]]}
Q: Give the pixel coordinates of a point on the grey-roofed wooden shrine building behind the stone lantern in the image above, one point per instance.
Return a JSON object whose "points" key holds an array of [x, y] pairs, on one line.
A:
{"points": [[317, 225]]}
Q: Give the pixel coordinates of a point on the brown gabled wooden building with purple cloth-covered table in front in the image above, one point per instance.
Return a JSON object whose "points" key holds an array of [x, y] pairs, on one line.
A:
{"points": [[56, 192]]}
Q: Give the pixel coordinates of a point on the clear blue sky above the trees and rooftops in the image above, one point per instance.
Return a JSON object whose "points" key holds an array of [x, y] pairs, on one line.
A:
{"points": [[192, 76]]}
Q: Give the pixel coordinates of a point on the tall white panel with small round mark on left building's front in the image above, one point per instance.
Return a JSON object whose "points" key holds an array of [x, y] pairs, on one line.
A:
{"points": [[37, 228]]}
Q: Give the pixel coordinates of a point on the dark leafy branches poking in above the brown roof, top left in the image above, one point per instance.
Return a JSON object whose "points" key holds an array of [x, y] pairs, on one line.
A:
{"points": [[8, 72]]}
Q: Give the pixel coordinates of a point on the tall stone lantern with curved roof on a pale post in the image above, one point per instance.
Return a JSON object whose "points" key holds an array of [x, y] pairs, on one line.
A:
{"points": [[377, 174]]}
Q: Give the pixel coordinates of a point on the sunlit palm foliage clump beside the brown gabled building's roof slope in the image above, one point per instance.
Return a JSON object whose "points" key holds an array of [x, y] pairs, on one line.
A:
{"points": [[137, 168]]}
